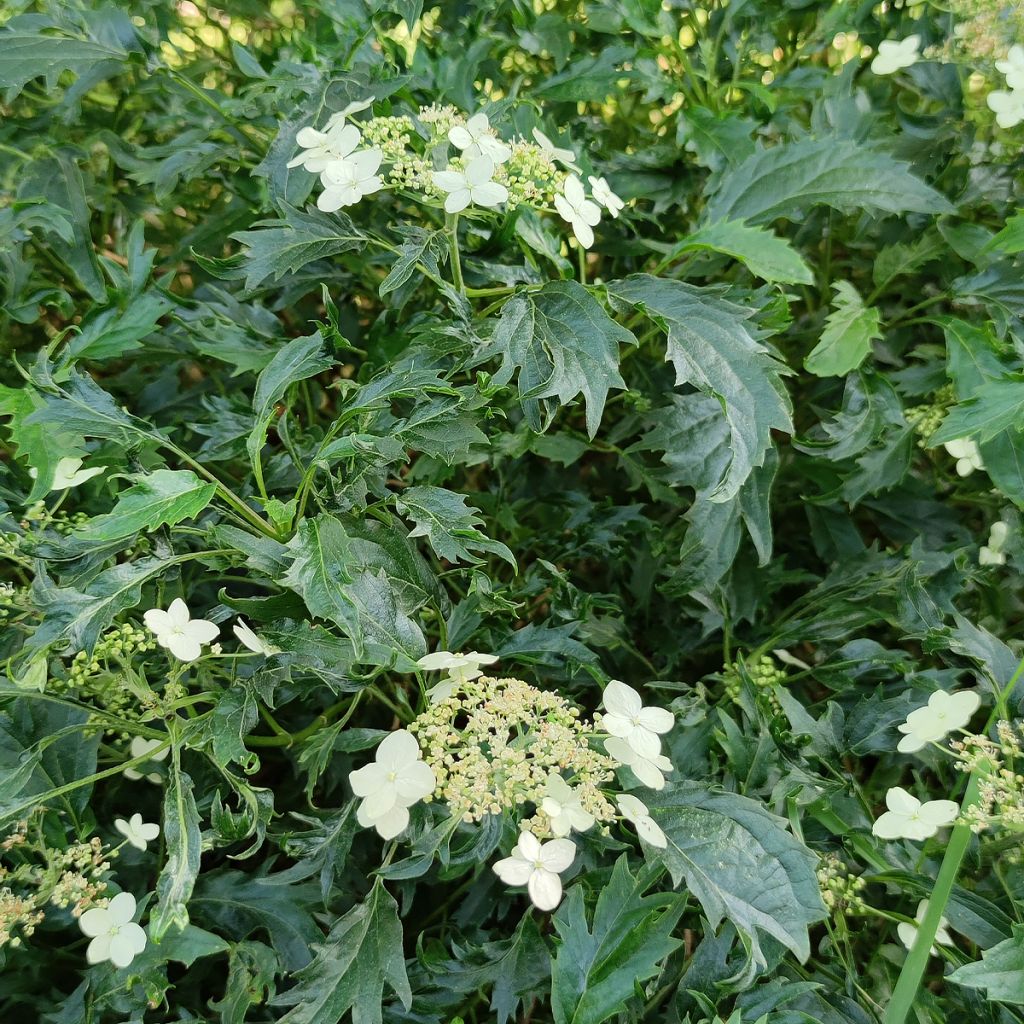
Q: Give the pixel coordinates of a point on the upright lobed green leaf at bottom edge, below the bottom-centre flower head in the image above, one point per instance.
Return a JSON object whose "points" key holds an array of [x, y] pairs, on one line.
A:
{"points": [[596, 970]]}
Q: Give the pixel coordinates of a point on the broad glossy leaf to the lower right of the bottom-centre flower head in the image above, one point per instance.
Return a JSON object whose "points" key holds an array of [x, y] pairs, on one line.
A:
{"points": [[740, 862]]}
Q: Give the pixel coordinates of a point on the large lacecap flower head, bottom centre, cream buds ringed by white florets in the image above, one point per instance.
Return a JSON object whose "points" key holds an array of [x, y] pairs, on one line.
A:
{"points": [[488, 746]]}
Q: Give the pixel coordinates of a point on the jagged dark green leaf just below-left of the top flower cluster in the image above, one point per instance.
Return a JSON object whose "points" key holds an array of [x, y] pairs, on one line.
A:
{"points": [[281, 247]]}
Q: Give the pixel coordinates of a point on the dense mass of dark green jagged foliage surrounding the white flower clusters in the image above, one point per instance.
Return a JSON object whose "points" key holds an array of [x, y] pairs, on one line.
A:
{"points": [[704, 455]]}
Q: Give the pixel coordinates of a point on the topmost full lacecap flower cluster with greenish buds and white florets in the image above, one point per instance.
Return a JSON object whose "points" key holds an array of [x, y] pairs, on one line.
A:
{"points": [[483, 169]]}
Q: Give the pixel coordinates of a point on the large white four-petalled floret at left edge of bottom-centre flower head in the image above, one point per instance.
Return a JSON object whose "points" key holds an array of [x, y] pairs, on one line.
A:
{"points": [[397, 780]]}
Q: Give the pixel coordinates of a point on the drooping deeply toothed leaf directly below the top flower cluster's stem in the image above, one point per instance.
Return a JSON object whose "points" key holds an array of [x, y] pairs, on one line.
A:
{"points": [[562, 344]]}
